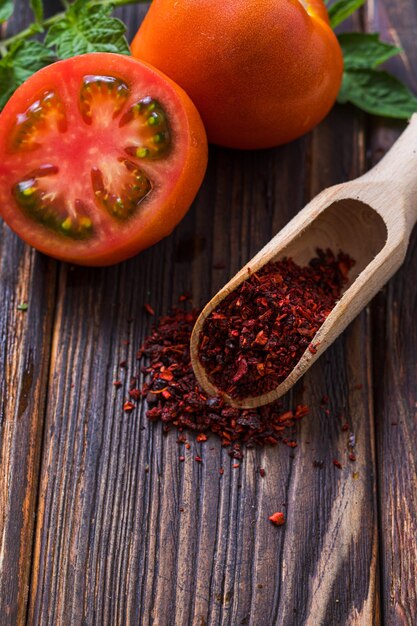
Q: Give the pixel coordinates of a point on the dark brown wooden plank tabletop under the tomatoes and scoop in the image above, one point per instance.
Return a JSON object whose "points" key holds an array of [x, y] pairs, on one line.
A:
{"points": [[91, 526]]}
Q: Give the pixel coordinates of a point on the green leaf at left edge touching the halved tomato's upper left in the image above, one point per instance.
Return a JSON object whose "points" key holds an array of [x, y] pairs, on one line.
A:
{"points": [[23, 59]]}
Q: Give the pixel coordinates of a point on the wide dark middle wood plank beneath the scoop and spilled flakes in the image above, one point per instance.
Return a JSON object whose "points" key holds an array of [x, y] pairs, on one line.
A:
{"points": [[112, 544]]}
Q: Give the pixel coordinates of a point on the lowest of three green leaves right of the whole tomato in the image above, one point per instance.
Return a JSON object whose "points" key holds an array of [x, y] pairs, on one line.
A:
{"points": [[378, 93]]}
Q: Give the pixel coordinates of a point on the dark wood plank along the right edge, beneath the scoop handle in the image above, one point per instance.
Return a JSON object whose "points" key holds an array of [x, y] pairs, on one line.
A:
{"points": [[395, 348]]}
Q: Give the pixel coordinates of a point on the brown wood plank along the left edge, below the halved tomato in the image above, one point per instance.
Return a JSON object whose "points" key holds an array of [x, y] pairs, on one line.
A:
{"points": [[25, 277]]}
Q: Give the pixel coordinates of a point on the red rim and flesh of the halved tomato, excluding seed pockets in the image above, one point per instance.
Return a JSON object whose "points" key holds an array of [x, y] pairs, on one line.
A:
{"points": [[185, 166]]}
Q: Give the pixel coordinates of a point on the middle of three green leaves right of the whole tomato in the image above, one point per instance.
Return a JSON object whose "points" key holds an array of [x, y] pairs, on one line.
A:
{"points": [[365, 50]]}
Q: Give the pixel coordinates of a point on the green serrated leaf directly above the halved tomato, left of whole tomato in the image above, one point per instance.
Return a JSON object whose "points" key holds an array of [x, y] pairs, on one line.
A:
{"points": [[87, 28]]}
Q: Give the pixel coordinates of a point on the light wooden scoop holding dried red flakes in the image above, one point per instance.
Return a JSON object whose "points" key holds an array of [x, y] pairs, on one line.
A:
{"points": [[369, 218]]}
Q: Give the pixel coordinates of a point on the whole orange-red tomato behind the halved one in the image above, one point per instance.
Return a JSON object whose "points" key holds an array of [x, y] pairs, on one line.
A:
{"points": [[260, 72]]}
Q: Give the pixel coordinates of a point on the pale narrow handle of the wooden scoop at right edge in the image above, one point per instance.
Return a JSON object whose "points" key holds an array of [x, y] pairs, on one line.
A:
{"points": [[396, 172]]}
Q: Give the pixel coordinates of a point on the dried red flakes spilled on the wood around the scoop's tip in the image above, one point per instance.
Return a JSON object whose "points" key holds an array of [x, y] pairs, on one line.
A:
{"points": [[175, 398]]}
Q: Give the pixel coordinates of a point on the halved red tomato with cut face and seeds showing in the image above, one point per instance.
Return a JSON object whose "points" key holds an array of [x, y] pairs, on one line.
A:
{"points": [[100, 157]]}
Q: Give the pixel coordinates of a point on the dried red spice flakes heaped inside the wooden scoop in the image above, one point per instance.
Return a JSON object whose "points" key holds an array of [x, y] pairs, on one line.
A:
{"points": [[252, 341]]}
